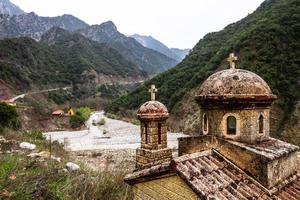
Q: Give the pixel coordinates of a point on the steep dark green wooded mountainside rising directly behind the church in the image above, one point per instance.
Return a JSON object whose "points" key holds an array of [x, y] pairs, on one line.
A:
{"points": [[267, 42]]}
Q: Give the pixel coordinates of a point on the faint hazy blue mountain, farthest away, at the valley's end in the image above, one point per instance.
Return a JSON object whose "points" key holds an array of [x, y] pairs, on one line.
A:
{"points": [[151, 43]]}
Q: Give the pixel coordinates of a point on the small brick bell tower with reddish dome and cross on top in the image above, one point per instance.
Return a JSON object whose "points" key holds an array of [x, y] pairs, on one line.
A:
{"points": [[153, 116]]}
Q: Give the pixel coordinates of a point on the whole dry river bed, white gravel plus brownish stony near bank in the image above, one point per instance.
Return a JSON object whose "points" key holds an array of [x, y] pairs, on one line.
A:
{"points": [[110, 146]]}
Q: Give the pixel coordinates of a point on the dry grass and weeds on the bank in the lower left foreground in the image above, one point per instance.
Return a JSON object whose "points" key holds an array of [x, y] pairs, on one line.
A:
{"points": [[22, 177]]}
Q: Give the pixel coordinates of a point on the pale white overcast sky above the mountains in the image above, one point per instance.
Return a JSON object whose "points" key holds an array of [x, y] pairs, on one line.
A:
{"points": [[176, 23]]}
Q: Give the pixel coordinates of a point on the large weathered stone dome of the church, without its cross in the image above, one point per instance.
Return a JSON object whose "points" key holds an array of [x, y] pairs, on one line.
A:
{"points": [[235, 84]]}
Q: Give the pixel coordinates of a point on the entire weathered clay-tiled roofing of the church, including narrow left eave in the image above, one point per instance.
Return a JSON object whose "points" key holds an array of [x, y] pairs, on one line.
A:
{"points": [[213, 177]]}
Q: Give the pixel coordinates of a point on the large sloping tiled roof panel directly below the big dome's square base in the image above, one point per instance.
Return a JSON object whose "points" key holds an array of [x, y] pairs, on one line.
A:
{"points": [[211, 176]]}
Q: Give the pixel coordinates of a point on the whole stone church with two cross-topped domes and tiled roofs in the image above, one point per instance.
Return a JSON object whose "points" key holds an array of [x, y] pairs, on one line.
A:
{"points": [[233, 157]]}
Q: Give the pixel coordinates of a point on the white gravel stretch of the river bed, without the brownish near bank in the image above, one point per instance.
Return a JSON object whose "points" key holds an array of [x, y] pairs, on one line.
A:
{"points": [[120, 135]]}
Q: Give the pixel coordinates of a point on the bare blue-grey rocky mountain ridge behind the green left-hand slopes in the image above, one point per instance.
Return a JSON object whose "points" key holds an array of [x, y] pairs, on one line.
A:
{"points": [[34, 26]]}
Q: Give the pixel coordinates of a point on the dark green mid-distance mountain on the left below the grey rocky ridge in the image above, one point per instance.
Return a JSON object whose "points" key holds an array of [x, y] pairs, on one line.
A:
{"points": [[61, 59]]}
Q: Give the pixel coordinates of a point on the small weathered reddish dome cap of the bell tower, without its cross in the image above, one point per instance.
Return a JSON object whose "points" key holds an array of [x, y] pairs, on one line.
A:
{"points": [[152, 109]]}
